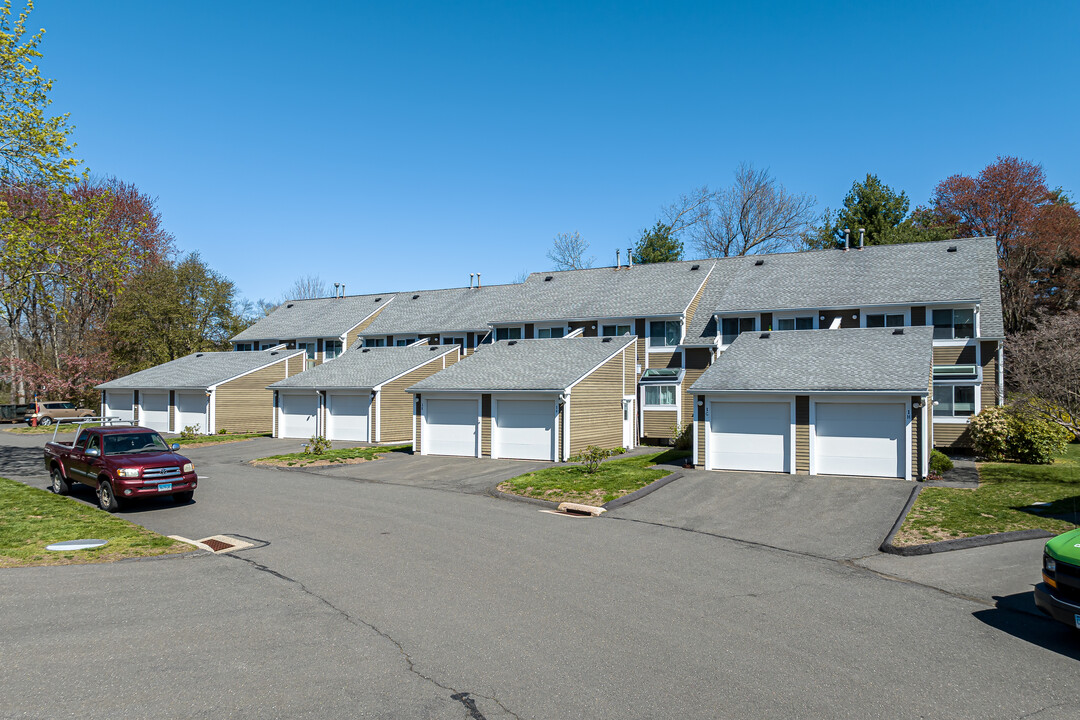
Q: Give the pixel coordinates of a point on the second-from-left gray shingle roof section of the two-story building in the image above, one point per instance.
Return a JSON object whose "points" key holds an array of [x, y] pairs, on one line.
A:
{"points": [[456, 309]]}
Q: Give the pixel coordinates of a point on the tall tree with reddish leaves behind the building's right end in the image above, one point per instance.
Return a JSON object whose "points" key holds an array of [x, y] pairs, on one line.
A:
{"points": [[1037, 229]]}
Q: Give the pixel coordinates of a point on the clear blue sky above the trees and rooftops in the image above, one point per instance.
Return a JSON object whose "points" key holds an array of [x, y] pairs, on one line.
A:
{"points": [[404, 145]]}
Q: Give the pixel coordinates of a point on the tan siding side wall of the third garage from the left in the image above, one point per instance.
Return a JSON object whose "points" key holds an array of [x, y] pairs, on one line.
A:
{"points": [[597, 407]]}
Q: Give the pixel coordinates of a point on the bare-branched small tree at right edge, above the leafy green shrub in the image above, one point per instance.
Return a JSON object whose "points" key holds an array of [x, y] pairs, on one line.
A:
{"points": [[1044, 370]]}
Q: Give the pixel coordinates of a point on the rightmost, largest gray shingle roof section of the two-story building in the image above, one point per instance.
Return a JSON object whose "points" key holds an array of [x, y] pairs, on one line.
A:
{"points": [[913, 274]]}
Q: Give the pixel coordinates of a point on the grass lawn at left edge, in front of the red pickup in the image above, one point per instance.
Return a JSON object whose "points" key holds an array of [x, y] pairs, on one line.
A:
{"points": [[32, 519]]}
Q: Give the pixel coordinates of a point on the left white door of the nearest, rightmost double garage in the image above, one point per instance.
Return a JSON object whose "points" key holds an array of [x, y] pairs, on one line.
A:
{"points": [[753, 437]]}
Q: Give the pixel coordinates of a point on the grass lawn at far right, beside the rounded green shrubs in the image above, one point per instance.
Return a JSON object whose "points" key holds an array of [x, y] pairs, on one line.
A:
{"points": [[1003, 502]]}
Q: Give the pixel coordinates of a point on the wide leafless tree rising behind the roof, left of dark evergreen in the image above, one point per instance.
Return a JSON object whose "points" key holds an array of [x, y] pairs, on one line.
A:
{"points": [[757, 214]]}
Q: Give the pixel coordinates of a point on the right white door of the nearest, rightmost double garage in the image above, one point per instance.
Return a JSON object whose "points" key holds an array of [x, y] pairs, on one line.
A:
{"points": [[860, 439]]}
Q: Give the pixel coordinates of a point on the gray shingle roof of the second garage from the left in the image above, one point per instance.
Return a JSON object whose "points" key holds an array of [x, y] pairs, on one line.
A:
{"points": [[364, 369]]}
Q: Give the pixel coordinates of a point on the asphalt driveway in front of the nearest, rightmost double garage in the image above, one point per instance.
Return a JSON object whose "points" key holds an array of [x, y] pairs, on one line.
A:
{"points": [[828, 517]]}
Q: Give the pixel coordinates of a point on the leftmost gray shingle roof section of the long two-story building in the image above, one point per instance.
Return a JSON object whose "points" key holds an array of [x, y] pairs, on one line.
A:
{"points": [[321, 318]]}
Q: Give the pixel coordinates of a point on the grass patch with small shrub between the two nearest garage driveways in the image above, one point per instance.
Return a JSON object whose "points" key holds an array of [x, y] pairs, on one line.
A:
{"points": [[614, 480]]}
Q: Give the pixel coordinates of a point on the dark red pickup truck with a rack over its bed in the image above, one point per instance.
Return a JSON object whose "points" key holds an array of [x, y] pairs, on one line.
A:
{"points": [[121, 464]]}
